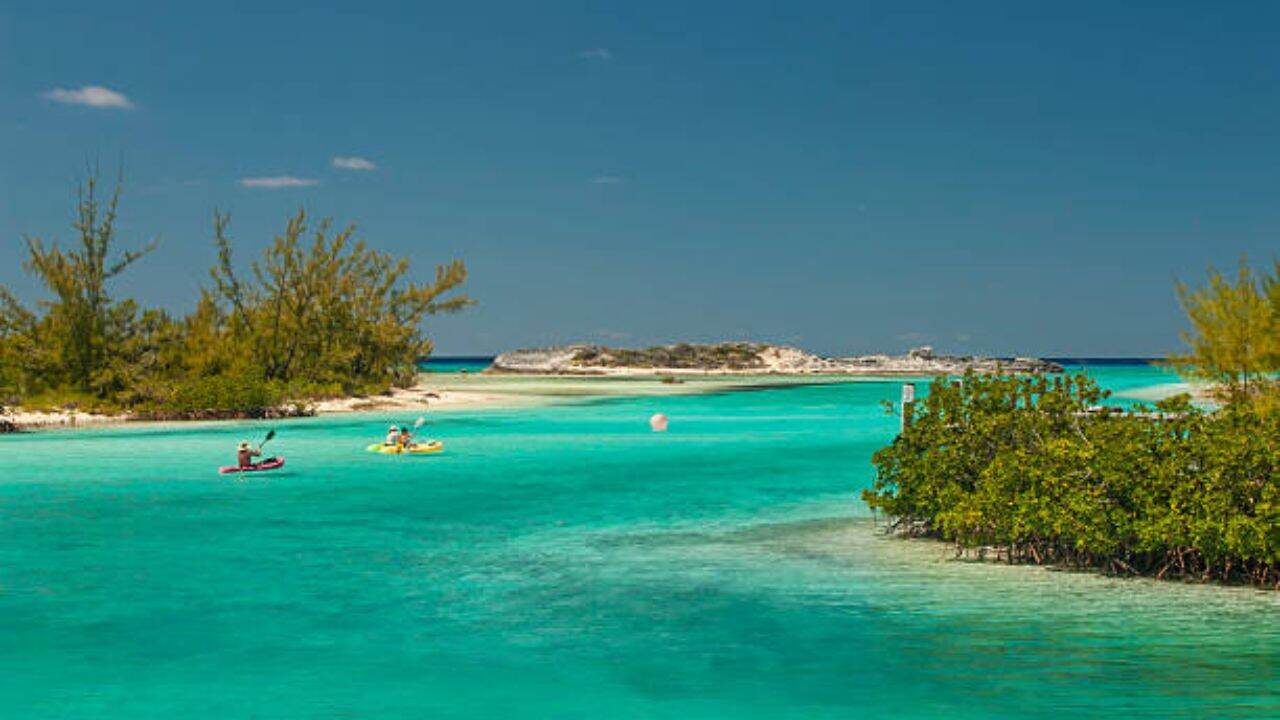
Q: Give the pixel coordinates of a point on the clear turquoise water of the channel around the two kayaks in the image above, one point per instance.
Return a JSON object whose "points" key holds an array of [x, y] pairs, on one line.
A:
{"points": [[568, 563]]}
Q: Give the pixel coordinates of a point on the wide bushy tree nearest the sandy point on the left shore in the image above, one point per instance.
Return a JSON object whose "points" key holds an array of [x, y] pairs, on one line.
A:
{"points": [[332, 311]]}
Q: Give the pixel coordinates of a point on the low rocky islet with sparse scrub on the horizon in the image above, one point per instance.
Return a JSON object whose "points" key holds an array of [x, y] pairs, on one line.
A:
{"points": [[748, 358]]}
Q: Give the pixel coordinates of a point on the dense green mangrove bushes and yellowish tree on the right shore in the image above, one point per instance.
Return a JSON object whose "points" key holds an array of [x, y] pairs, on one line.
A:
{"points": [[1039, 471]]}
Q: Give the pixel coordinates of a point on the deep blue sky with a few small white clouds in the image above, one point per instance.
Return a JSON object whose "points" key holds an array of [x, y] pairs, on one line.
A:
{"points": [[848, 177]]}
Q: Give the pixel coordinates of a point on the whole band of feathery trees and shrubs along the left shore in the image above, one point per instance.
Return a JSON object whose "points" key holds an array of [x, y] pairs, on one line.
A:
{"points": [[318, 315]]}
